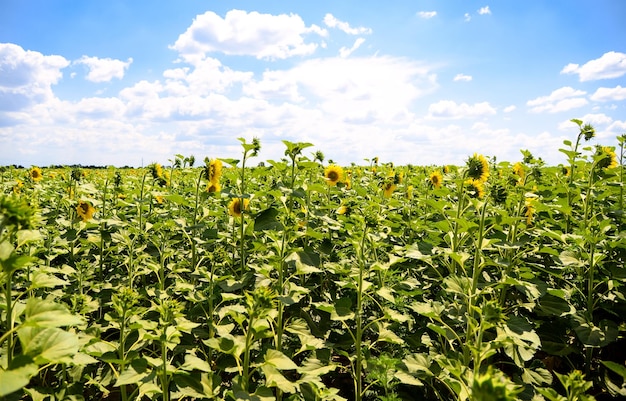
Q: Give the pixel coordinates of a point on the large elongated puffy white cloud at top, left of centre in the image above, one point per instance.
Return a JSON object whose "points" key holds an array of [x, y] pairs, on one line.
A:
{"points": [[263, 36]]}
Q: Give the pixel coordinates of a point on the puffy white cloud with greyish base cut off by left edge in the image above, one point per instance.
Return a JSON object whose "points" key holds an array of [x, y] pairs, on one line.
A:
{"points": [[27, 77]]}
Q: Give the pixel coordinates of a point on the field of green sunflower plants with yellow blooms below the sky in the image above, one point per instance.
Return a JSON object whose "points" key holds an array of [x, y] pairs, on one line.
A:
{"points": [[298, 279]]}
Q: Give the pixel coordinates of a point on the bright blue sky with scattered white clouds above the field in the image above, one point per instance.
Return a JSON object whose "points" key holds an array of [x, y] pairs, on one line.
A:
{"points": [[420, 82]]}
